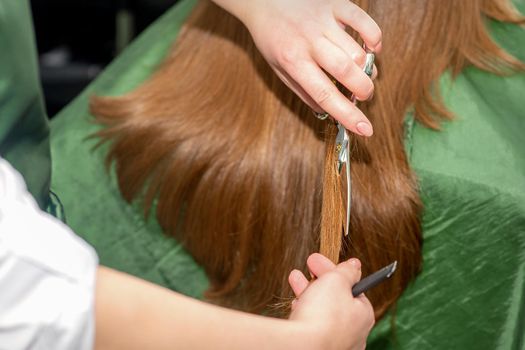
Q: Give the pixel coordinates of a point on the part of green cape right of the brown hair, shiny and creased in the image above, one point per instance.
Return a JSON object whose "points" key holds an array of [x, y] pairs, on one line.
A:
{"points": [[471, 294]]}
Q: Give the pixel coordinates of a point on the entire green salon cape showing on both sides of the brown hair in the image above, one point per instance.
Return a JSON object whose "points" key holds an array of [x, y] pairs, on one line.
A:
{"points": [[471, 292]]}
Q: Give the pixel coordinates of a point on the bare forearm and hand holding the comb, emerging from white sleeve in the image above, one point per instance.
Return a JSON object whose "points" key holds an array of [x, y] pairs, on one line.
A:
{"points": [[135, 314]]}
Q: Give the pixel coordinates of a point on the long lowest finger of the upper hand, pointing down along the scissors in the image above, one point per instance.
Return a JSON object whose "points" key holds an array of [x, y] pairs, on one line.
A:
{"points": [[325, 94]]}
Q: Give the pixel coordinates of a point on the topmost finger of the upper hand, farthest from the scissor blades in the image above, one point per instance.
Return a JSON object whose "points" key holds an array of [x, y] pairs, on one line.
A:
{"points": [[352, 15]]}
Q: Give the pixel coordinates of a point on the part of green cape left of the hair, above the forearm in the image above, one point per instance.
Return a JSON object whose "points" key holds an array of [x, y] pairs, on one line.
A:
{"points": [[93, 206]]}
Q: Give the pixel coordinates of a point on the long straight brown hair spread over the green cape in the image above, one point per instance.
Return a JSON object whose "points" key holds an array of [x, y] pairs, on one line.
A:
{"points": [[238, 170]]}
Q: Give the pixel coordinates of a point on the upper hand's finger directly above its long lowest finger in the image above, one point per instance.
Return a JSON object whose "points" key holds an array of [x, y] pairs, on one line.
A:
{"points": [[336, 62]]}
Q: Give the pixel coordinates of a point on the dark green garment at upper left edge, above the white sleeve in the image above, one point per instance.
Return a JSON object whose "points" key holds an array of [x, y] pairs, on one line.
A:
{"points": [[24, 131]]}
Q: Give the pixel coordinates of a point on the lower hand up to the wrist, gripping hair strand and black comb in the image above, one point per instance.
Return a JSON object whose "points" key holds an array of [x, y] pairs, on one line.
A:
{"points": [[327, 305]]}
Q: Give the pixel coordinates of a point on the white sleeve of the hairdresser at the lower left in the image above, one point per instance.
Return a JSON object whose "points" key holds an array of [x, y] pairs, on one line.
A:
{"points": [[47, 275]]}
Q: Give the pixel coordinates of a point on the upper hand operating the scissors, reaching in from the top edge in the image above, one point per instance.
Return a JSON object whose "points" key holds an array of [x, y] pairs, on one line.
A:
{"points": [[301, 38]]}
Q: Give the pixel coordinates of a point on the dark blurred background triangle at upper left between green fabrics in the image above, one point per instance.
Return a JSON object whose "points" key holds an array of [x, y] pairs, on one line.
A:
{"points": [[76, 39]]}
